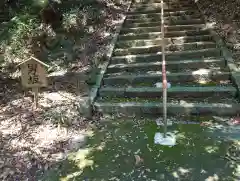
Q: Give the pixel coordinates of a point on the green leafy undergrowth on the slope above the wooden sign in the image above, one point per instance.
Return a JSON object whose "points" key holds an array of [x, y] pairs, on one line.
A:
{"points": [[83, 25]]}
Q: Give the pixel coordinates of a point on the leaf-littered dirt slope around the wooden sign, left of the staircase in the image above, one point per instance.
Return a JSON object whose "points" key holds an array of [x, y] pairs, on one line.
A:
{"points": [[33, 140]]}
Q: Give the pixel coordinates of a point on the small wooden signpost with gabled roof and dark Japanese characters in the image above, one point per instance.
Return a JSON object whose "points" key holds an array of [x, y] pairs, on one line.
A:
{"points": [[33, 75]]}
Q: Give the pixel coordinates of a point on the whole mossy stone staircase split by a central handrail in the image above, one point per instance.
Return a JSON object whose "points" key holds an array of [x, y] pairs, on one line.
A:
{"points": [[198, 73]]}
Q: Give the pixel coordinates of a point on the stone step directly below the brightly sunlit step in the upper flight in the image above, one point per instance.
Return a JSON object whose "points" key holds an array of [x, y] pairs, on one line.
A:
{"points": [[168, 47]]}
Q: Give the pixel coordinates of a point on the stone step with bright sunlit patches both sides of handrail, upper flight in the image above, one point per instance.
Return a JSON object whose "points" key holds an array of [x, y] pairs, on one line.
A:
{"points": [[158, 41]]}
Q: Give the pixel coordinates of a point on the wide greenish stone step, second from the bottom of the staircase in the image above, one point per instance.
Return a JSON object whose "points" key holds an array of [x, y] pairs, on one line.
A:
{"points": [[175, 92]]}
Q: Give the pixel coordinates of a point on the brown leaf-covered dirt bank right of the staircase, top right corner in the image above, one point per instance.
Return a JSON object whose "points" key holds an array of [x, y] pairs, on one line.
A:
{"points": [[226, 17]]}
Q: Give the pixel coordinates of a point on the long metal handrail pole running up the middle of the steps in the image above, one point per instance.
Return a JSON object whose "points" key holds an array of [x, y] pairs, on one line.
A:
{"points": [[164, 77]]}
